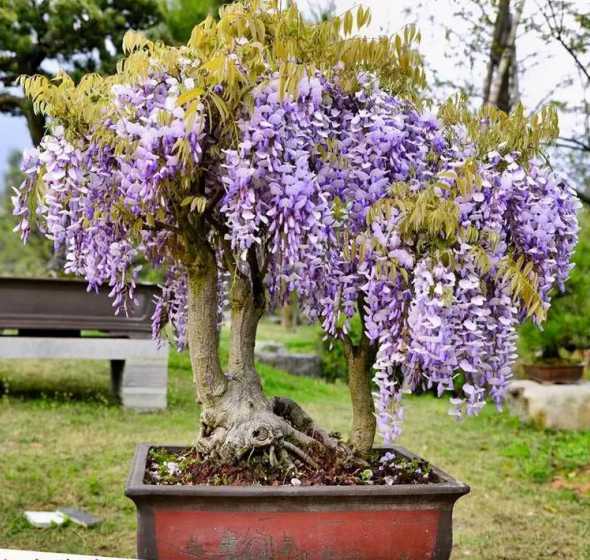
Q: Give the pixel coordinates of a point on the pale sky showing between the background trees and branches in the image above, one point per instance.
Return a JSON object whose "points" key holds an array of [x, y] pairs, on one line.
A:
{"points": [[388, 17]]}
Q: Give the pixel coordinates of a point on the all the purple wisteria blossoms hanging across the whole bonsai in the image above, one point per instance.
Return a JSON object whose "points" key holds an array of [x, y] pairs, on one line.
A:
{"points": [[309, 188]]}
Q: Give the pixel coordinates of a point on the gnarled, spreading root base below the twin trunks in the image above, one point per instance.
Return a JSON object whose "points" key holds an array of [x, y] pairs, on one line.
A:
{"points": [[271, 440]]}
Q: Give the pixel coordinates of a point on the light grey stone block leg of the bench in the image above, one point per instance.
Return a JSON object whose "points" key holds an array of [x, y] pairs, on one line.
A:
{"points": [[144, 384]]}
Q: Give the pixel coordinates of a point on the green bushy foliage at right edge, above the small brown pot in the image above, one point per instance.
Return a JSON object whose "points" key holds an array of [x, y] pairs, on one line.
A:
{"points": [[568, 321]]}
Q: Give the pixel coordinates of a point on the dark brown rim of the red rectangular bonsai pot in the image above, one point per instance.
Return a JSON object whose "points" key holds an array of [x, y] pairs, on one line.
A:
{"points": [[135, 486]]}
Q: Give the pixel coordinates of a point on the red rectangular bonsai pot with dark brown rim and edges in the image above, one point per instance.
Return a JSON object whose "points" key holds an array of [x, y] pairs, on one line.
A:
{"points": [[410, 522]]}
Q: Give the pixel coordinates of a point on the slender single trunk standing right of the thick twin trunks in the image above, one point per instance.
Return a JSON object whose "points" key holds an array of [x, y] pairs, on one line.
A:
{"points": [[360, 360]]}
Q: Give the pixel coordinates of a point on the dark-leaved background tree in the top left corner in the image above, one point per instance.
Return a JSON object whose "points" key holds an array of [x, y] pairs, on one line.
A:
{"points": [[79, 35]]}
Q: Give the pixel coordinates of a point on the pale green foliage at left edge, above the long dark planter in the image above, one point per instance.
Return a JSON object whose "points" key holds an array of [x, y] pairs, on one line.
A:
{"points": [[16, 259]]}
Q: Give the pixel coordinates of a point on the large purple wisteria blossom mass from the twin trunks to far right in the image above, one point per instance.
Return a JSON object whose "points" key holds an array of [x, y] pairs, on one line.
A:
{"points": [[432, 323]]}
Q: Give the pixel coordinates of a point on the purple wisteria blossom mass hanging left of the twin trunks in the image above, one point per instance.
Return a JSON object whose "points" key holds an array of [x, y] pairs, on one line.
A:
{"points": [[106, 209]]}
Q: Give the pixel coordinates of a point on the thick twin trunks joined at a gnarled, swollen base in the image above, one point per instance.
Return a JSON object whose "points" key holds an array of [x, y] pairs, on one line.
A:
{"points": [[237, 417]]}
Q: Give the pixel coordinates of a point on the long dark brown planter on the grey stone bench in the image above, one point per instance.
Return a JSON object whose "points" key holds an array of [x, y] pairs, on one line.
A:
{"points": [[33, 305]]}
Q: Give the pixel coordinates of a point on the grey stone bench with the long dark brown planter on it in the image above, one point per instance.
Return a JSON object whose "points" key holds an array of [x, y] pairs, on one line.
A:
{"points": [[47, 318]]}
